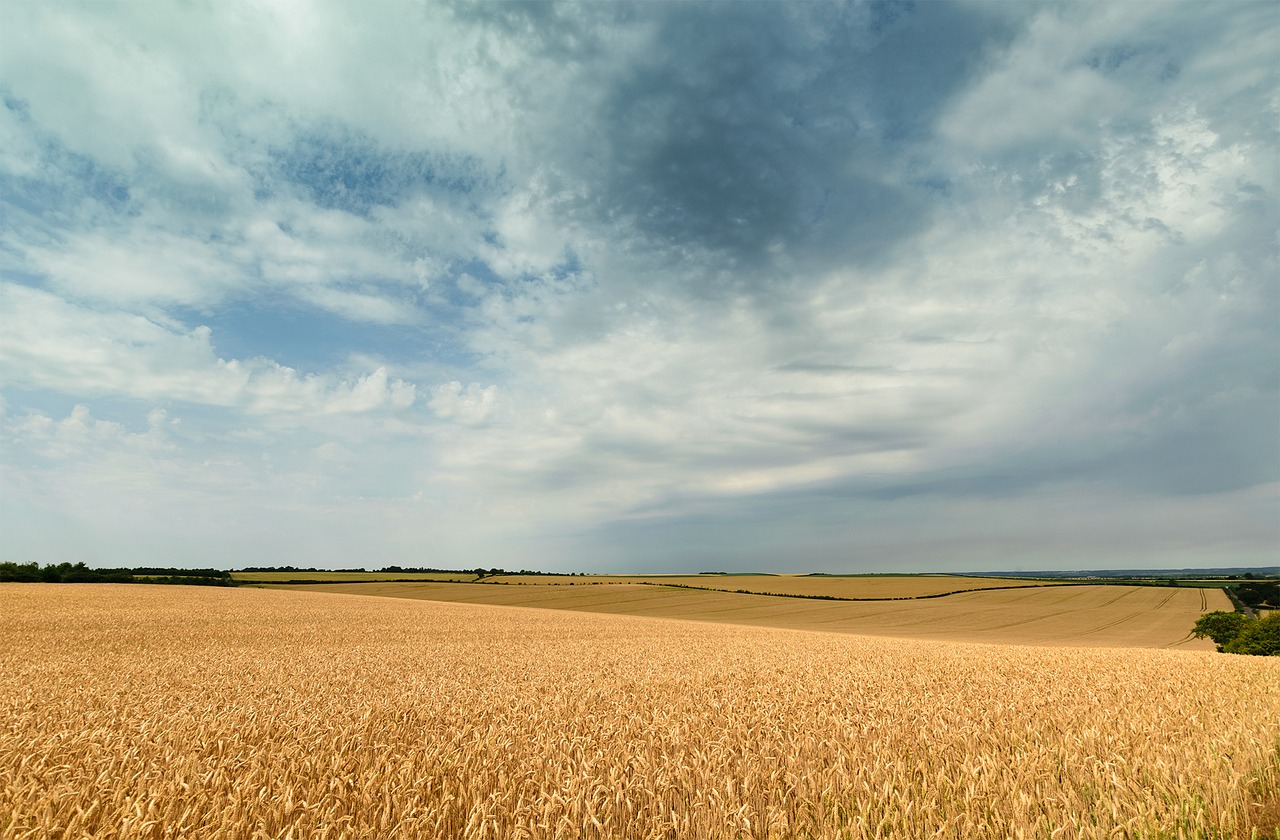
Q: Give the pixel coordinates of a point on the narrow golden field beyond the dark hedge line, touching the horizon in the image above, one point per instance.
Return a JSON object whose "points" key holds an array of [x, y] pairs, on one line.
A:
{"points": [[843, 587]]}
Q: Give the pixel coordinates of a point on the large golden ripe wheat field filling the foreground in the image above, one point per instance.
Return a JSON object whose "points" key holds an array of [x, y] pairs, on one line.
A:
{"points": [[193, 713]]}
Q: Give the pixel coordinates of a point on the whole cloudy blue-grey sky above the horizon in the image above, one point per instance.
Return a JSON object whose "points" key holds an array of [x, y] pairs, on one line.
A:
{"points": [[651, 287]]}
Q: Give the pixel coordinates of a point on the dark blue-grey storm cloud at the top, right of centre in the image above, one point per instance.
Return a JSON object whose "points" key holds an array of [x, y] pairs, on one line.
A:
{"points": [[771, 130]]}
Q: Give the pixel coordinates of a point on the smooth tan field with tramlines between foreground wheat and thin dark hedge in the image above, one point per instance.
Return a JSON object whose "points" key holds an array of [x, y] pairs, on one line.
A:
{"points": [[1085, 615]]}
